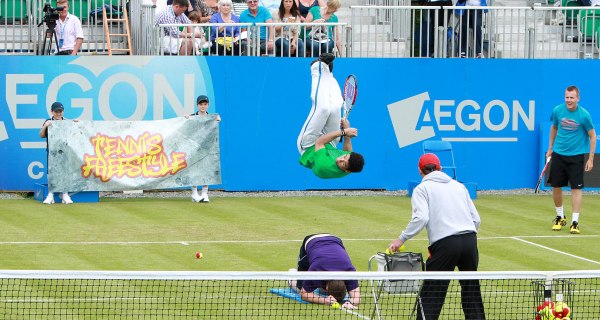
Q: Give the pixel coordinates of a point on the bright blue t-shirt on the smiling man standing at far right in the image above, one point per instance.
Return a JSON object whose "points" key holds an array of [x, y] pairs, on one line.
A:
{"points": [[573, 126]]}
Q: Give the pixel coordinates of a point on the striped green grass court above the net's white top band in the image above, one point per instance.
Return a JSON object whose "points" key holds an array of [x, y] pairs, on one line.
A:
{"points": [[149, 234]]}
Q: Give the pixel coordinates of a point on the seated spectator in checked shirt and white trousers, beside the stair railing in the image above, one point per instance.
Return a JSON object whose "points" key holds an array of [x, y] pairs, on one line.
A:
{"points": [[175, 41]]}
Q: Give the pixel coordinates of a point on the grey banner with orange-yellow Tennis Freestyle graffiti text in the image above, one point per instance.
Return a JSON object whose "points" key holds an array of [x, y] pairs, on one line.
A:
{"points": [[133, 155]]}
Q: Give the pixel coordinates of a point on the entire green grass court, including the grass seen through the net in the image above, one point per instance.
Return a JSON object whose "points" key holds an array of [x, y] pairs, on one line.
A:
{"points": [[264, 234]]}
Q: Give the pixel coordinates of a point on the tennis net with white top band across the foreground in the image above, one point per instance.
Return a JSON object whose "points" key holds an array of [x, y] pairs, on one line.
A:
{"points": [[266, 295]]}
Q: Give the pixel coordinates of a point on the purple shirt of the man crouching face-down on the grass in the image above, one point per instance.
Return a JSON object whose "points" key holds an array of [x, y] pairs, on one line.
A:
{"points": [[327, 254]]}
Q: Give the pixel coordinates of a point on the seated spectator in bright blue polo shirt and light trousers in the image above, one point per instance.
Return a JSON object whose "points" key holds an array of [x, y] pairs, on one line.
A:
{"points": [[259, 14]]}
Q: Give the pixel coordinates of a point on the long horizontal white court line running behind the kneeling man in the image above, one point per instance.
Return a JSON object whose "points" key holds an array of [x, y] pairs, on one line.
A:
{"points": [[190, 242]]}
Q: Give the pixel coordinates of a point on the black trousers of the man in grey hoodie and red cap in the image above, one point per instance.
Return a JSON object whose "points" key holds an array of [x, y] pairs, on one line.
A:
{"points": [[445, 255]]}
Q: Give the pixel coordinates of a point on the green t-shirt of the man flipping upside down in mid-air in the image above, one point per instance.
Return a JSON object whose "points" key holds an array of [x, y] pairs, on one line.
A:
{"points": [[322, 162]]}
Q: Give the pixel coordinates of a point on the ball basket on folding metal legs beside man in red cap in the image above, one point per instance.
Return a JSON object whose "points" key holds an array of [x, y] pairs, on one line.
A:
{"points": [[402, 261]]}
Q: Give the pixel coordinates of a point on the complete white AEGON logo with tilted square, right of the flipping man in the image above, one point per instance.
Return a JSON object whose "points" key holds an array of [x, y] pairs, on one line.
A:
{"points": [[466, 120]]}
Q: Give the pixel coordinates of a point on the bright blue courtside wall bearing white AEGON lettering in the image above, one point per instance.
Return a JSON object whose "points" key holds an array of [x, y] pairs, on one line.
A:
{"points": [[491, 111]]}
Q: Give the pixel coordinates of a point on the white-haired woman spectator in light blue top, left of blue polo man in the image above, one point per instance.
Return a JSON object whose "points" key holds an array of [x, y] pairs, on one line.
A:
{"points": [[225, 39]]}
